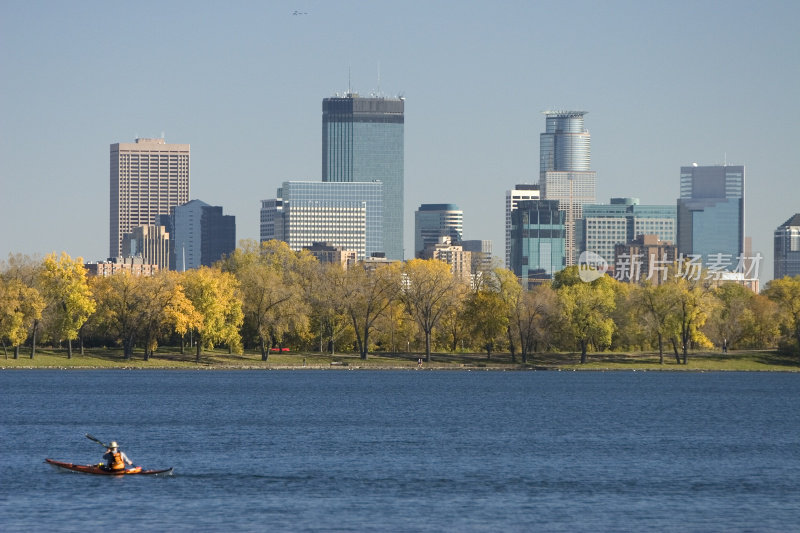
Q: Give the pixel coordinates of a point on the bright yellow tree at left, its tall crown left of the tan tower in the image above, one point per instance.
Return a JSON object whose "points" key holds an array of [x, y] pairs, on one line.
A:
{"points": [[69, 300]]}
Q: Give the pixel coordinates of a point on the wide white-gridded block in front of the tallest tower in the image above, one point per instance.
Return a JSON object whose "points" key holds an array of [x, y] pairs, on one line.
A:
{"points": [[347, 215]]}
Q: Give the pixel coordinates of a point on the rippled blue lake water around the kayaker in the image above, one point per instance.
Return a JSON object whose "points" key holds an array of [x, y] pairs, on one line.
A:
{"points": [[346, 450]]}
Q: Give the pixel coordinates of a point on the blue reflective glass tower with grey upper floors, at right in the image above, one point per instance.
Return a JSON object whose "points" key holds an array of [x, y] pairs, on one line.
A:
{"points": [[711, 213]]}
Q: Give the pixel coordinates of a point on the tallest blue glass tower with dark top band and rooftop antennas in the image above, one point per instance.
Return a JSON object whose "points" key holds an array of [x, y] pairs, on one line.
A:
{"points": [[362, 140]]}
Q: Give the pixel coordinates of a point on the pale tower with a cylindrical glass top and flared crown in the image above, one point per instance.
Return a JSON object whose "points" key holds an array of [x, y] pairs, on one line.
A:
{"points": [[565, 169]]}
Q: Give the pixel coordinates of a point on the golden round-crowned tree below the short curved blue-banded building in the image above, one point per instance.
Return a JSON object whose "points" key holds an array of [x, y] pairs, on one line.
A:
{"points": [[427, 292]]}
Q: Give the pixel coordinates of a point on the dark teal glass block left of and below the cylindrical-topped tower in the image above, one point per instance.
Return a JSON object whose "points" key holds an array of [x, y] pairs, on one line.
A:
{"points": [[537, 240]]}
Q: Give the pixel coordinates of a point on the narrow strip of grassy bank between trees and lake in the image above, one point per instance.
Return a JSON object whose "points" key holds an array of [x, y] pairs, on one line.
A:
{"points": [[221, 360]]}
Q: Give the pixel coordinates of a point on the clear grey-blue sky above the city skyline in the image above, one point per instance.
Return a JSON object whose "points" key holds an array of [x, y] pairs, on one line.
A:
{"points": [[665, 84]]}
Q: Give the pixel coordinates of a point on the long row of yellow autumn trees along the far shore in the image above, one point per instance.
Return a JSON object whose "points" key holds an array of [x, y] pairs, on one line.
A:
{"points": [[264, 295]]}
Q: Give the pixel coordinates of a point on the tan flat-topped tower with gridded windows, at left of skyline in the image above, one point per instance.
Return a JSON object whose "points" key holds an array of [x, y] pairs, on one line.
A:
{"points": [[147, 177]]}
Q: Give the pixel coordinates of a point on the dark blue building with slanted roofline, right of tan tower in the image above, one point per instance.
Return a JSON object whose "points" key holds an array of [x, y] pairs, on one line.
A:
{"points": [[201, 235]]}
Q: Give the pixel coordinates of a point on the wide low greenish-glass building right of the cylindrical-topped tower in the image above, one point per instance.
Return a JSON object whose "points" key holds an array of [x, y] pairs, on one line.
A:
{"points": [[603, 226]]}
